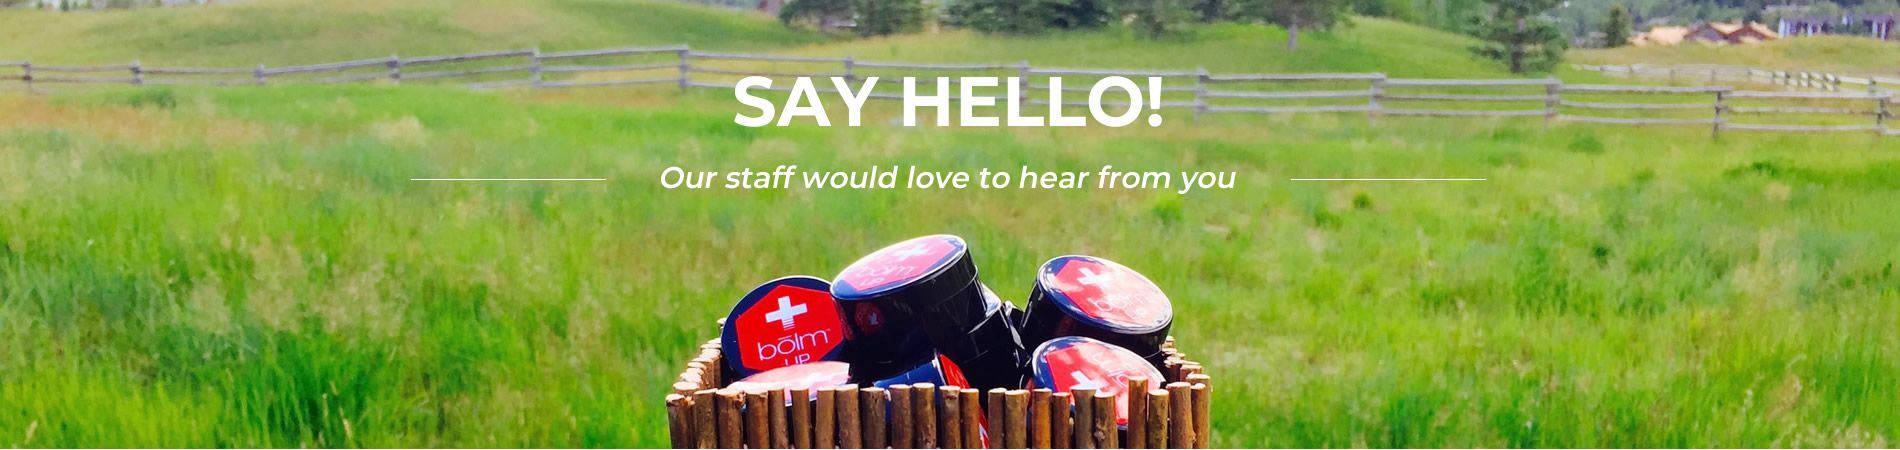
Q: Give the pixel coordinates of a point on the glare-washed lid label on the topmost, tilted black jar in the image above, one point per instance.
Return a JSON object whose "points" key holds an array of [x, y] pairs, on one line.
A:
{"points": [[896, 265]]}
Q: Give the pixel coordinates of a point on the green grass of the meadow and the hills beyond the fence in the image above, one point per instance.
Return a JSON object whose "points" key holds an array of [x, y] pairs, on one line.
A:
{"points": [[252, 267]]}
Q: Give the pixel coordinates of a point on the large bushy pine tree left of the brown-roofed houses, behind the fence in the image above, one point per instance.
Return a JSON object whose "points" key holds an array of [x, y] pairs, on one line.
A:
{"points": [[1521, 37]]}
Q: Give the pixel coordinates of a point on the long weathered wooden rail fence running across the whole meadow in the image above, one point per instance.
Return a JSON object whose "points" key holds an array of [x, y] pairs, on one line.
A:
{"points": [[1719, 107]]}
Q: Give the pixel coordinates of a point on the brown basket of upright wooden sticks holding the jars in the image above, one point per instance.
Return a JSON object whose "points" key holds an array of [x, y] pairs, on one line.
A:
{"points": [[1162, 415]]}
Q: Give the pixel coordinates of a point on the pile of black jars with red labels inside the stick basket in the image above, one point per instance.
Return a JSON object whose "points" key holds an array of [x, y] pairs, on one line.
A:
{"points": [[917, 312]]}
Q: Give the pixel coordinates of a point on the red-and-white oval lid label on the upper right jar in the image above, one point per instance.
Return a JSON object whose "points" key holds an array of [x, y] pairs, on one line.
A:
{"points": [[1111, 291]]}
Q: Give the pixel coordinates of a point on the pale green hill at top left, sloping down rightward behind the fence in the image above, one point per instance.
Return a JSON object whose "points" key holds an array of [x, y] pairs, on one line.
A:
{"points": [[318, 31]]}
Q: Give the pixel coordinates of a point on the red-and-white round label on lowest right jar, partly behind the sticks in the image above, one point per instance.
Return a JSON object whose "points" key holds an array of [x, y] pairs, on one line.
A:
{"points": [[1107, 369]]}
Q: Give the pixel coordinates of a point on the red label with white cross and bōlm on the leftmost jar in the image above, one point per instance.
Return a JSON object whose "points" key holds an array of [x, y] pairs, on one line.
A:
{"points": [[789, 326]]}
